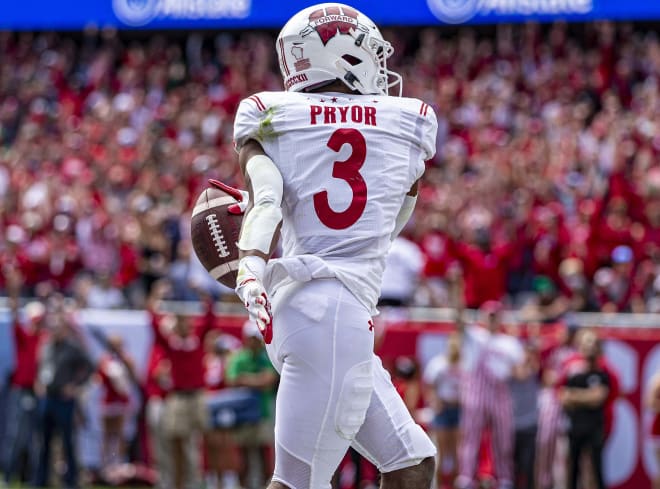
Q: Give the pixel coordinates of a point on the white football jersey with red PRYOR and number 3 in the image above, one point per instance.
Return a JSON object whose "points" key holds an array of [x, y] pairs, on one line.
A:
{"points": [[347, 161]]}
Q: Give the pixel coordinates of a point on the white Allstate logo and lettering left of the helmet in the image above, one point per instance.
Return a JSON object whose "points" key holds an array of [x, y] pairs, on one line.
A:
{"points": [[138, 13]]}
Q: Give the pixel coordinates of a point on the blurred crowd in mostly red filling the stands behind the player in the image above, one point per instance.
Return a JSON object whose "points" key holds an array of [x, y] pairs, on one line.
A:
{"points": [[545, 192]]}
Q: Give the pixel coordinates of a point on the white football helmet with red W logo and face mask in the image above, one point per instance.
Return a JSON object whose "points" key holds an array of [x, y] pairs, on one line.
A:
{"points": [[332, 41]]}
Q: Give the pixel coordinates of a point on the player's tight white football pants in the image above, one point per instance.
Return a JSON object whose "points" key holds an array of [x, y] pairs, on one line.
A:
{"points": [[334, 392]]}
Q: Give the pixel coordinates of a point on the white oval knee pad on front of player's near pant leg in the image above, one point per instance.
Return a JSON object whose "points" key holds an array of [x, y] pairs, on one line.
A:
{"points": [[354, 399]]}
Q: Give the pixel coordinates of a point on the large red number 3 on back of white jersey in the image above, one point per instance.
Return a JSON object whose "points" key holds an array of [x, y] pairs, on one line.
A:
{"points": [[349, 171]]}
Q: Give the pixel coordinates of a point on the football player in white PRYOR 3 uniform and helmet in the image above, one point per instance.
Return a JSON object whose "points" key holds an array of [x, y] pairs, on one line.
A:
{"points": [[333, 164]]}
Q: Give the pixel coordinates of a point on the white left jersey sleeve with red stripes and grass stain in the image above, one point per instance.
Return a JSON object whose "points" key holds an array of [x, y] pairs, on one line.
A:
{"points": [[254, 120]]}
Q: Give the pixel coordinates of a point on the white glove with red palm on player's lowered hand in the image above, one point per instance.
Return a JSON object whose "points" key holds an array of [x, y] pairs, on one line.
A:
{"points": [[253, 294]]}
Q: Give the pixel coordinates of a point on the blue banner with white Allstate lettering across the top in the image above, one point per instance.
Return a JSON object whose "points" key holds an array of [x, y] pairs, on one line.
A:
{"points": [[221, 14]]}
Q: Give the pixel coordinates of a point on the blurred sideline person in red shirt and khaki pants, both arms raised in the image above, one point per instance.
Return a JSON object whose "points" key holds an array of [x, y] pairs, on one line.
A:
{"points": [[185, 410]]}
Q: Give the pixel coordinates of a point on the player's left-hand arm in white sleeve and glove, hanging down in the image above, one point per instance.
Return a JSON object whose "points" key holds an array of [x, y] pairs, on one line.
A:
{"points": [[259, 232]]}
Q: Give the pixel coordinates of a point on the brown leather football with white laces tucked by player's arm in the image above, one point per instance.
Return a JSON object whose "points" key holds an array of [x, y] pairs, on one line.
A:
{"points": [[214, 233]]}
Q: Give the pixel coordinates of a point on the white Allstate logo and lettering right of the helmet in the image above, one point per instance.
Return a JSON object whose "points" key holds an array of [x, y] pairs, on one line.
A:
{"points": [[460, 11]]}
